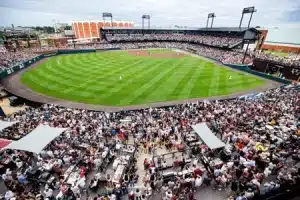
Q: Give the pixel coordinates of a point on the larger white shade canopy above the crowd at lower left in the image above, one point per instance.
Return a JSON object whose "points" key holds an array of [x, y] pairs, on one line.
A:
{"points": [[36, 140]]}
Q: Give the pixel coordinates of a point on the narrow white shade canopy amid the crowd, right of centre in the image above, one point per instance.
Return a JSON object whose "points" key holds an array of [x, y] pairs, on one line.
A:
{"points": [[207, 136]]}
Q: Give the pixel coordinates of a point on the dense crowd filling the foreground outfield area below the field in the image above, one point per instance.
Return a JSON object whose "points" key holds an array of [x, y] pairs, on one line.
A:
{"points": [[260, 133]]}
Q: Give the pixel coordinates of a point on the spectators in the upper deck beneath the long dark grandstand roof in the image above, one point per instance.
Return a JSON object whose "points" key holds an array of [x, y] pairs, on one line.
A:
{"points": [[207, 39]]}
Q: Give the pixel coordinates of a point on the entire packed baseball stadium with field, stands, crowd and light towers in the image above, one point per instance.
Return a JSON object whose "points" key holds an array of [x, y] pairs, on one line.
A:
{"points": [[110, 110]]}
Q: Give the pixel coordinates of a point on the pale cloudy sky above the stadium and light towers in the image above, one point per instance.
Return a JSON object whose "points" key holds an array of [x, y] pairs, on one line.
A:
{"points": [[192, 13]]}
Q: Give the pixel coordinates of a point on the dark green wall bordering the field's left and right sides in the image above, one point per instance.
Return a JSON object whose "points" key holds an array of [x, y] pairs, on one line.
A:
{"points": [[47, 54]]}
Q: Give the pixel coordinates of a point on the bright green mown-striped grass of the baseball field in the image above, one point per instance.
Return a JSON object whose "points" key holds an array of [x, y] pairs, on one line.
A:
{"points": [[94, 78]]}
